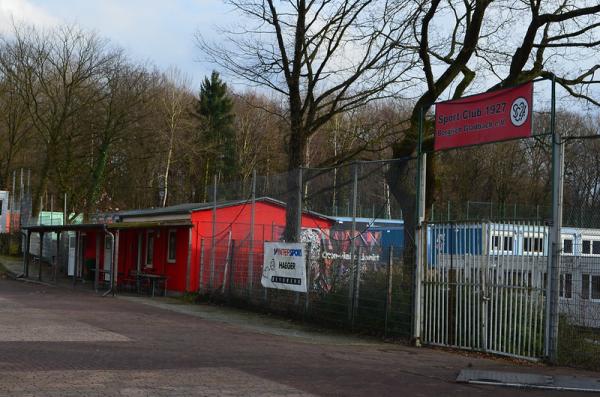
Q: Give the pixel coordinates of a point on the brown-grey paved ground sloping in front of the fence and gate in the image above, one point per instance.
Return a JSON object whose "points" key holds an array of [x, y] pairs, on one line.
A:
{"points": [[70, 342]]}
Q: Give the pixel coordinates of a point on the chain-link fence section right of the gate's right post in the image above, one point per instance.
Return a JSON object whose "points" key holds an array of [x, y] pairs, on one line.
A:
{"points": [[579, 280]]}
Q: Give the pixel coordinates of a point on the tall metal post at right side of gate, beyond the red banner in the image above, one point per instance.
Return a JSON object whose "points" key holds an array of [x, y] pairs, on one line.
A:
{"points": [[554, 246]]}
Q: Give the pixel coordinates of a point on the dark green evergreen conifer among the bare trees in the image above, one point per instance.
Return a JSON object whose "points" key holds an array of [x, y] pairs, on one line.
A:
{"points": [[215, 108]]}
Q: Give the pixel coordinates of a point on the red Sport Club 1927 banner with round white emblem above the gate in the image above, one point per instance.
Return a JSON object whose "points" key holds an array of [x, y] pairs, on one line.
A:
{"points": [[493, 116]]}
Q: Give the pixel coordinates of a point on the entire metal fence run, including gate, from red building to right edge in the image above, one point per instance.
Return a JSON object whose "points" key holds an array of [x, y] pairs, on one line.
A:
{"points": [[484, 279]]}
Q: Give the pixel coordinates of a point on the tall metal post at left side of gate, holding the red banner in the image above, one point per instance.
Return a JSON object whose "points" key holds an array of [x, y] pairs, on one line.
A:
{"points": [[420, 233]]}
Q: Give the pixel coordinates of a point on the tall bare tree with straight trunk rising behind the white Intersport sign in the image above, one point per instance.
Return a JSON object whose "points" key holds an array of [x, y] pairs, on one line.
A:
{"points": [[322, 57]]}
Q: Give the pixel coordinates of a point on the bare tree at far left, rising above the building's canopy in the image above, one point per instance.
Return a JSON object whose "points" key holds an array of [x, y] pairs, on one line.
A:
{"points": [[53, 72]]}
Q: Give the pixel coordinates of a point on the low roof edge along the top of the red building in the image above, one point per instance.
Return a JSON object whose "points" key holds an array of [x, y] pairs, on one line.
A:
{"points": [[187, 208]]}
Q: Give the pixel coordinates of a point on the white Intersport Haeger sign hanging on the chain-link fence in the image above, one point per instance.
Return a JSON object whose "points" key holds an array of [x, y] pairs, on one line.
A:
{"points": [[284, 266]]}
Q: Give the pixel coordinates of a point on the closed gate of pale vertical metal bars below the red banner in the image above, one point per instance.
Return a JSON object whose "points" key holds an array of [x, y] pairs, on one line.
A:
{"points": [[484, 287]]}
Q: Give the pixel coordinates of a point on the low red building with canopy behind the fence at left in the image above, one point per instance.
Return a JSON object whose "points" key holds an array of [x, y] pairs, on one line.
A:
{"points": [[176, 243]]}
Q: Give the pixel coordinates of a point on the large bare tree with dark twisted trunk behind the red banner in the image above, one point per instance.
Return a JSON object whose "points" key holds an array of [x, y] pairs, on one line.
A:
{"points": [[508, 42]]}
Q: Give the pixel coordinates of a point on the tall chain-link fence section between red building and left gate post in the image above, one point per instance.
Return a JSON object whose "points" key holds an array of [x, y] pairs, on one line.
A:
{"points": [[360, 270]]}
